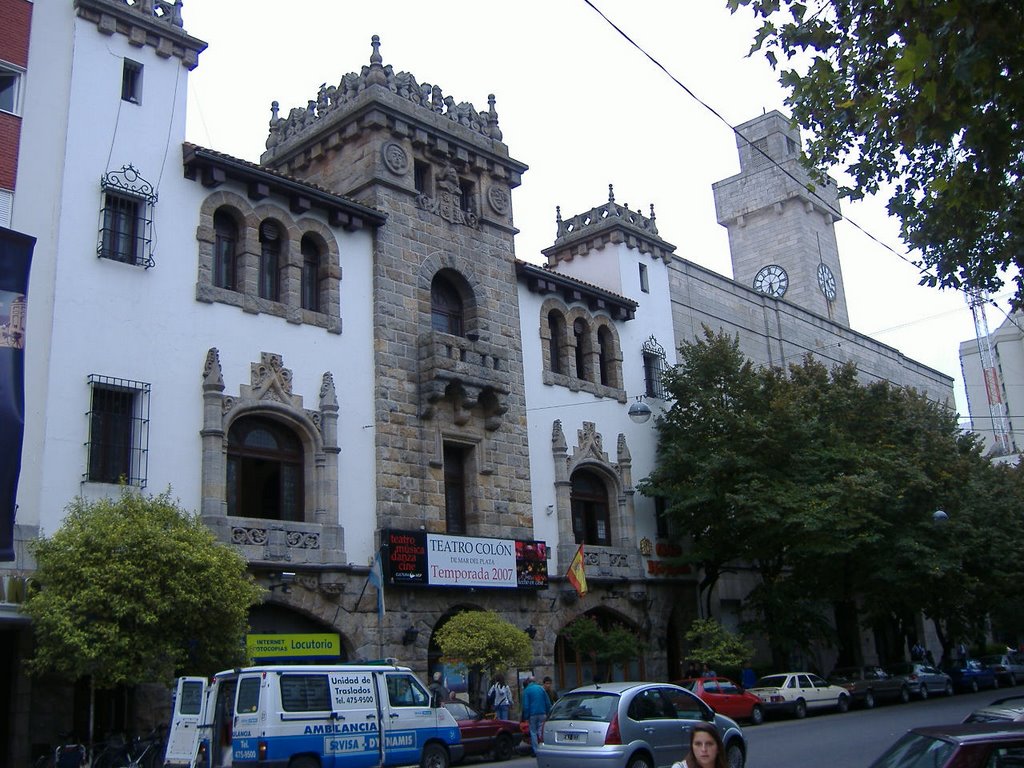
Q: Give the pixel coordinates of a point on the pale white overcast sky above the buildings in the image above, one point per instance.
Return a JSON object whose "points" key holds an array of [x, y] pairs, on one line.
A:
{"points": [[581, 107]]}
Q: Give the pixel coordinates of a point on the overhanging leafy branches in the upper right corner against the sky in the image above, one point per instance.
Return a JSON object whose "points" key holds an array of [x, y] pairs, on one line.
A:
{"points": [[926, 98]]}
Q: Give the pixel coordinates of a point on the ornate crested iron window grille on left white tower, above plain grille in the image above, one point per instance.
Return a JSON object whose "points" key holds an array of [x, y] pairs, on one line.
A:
{"points": [[126, 220]]}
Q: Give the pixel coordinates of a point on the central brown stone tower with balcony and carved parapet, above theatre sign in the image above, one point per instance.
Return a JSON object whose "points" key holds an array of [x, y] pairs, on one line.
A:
{"points": [[449, 389]]}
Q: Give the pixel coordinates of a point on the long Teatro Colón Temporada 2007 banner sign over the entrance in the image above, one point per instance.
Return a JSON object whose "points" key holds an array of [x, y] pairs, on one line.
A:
{"points": [[421, 560]]}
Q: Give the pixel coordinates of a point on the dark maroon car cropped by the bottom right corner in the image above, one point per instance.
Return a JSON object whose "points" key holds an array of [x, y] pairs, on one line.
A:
{"points": [[965, 745]]}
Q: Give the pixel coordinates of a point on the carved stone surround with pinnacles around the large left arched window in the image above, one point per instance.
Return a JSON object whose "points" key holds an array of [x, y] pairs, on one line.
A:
{"points": [[317, 538]]}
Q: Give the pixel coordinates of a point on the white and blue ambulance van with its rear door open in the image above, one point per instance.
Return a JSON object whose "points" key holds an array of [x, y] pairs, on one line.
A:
{"points": [[339, 716]]}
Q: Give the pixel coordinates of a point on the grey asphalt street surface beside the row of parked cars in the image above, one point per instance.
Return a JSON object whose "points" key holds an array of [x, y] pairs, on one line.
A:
{"points": [[850, 741]]}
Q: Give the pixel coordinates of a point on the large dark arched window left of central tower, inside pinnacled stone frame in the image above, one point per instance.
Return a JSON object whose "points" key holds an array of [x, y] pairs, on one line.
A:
{"points": [[265, 471]]}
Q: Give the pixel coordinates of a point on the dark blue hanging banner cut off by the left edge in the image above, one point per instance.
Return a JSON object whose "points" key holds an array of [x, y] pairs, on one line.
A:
{"points": [[16, 255]]}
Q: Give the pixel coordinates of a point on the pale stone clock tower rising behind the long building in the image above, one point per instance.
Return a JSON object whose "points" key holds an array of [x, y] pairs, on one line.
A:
{"points": [[782, 234]]}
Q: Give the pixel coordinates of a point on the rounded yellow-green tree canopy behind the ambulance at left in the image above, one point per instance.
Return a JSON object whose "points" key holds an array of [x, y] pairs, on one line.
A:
{"points": [[135, 590]]}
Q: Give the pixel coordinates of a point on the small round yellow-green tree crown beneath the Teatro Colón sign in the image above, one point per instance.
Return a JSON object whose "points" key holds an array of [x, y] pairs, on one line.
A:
{"points": [[484, 641]]}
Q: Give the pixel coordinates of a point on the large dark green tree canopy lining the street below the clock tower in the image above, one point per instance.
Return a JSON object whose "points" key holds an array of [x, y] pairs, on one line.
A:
{"points": [[826, 488]]}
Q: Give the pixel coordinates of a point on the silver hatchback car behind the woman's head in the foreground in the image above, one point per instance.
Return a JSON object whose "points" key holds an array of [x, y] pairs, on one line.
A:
{"points": [[630, 726]]}
